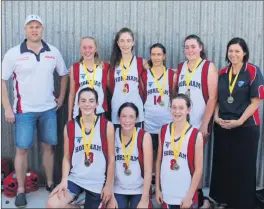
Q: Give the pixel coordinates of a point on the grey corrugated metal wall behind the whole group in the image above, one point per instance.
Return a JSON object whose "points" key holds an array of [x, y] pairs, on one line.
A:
{"points": [[167, 22]]}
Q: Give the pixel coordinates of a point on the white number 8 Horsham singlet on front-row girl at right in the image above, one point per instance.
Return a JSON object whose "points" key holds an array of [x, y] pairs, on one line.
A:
{"points": [[175, 183]]}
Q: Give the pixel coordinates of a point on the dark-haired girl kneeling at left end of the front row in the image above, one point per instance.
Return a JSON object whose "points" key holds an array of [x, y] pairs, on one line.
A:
{"points": [[88, 167]]}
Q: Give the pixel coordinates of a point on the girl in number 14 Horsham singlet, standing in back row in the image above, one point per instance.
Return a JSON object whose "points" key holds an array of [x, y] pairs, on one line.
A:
{"points": [[159, 83]]}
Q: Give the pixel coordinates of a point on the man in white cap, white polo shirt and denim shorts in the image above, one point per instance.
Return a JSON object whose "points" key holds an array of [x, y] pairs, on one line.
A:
{"points": [[31, 65]]}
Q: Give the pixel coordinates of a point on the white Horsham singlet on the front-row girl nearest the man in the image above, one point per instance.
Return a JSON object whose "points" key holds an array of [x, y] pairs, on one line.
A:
{"points": [[92, 177]]}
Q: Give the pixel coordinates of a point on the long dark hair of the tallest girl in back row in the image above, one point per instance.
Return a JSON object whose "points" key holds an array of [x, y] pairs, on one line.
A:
{"points": [[116, 52]]}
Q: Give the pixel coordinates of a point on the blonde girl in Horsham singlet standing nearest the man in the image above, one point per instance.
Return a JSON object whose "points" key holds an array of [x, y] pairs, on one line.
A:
{"points": [[91, 72]]}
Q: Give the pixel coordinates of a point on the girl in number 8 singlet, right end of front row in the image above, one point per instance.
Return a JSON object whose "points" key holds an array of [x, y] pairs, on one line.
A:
{"points": [[180, 159]]}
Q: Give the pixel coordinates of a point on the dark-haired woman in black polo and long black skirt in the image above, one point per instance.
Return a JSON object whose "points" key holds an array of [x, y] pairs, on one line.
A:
{"points": [[236, 129]]}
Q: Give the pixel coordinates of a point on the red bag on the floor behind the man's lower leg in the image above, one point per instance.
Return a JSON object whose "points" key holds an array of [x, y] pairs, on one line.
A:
{"points": [[11, 185]]}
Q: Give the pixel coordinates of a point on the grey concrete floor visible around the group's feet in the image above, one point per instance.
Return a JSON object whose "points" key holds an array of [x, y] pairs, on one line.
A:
{"points": [[39, 198]]}
